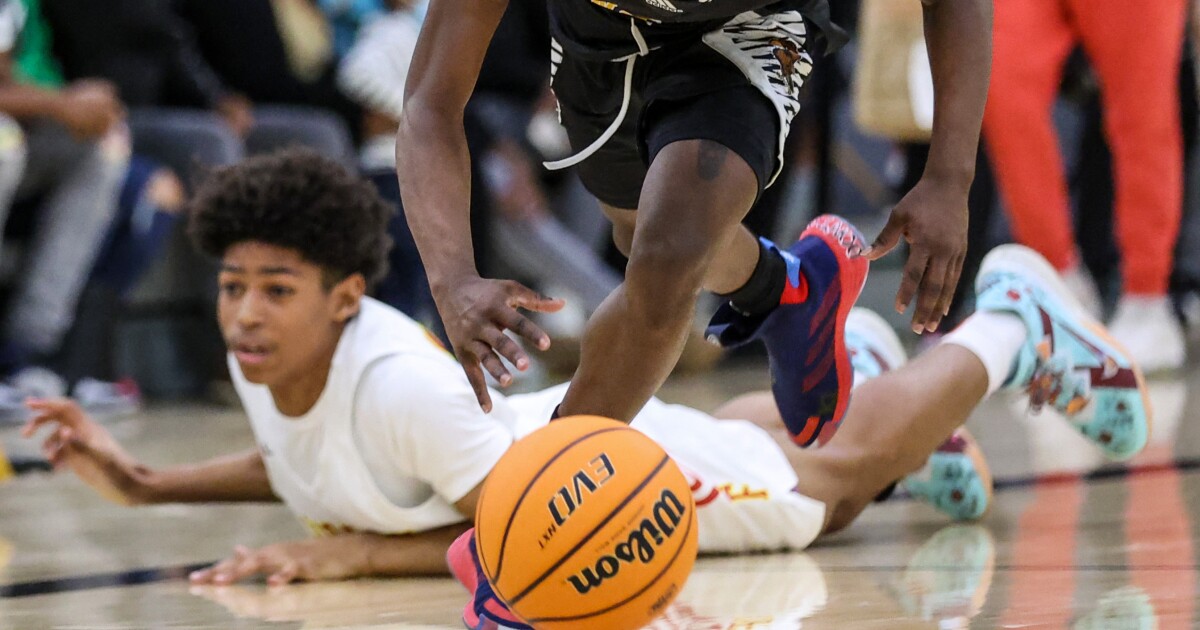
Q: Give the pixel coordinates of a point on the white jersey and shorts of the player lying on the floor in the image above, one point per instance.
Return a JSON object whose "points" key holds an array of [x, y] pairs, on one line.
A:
{"points": [[398, 436]]}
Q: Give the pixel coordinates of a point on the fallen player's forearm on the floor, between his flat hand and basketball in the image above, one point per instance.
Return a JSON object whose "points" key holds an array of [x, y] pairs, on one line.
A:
{"points": [[424, 554]]}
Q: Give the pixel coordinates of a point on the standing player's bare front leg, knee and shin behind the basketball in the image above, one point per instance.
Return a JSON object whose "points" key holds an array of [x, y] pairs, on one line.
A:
{"points": [[694, 200]]}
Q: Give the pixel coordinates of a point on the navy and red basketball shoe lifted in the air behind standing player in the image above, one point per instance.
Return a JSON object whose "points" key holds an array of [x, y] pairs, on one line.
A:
{"points": [[811, 371]]}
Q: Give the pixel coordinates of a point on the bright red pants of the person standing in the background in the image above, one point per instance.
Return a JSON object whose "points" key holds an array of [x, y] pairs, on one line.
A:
{"points": [[1136, 49]]}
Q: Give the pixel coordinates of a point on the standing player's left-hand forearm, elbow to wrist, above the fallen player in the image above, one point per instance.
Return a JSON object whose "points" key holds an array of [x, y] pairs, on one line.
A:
{"points": [[434, 166]]}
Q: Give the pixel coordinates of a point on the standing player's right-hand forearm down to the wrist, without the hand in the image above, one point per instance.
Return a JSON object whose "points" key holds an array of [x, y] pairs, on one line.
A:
{"points": [[959, 39]]}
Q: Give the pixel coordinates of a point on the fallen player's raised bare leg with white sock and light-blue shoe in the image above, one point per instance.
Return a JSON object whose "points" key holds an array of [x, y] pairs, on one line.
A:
{"points": [[1029, 334]]}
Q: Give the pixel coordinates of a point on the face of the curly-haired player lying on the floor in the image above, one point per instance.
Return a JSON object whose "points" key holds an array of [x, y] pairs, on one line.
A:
{"points": [[279, 320]]}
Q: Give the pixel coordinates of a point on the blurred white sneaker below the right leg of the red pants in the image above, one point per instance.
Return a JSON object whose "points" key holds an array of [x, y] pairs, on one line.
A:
{"points": [[1150, 332]]}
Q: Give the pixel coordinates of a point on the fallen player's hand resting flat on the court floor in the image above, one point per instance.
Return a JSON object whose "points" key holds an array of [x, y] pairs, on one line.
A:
{"points": [[323, 559]]}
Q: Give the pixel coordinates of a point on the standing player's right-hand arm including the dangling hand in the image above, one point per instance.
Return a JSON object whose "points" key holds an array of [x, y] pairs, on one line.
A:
{"points": [[933, 218]]}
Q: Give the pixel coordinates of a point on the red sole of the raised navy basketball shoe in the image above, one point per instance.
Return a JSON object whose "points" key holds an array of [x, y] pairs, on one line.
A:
{"points": [[851, 289]]}
